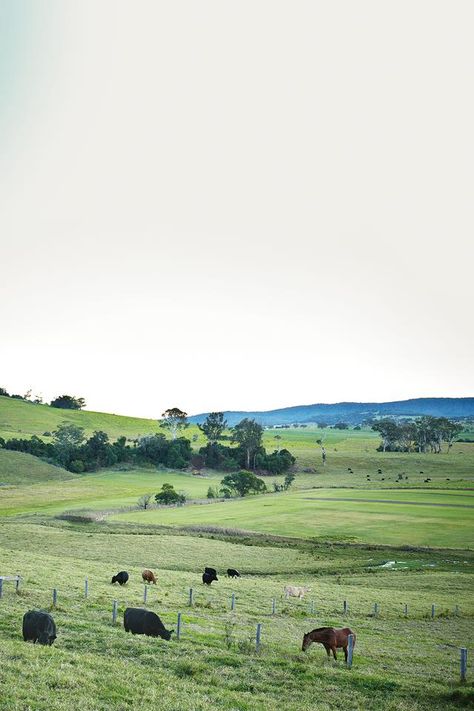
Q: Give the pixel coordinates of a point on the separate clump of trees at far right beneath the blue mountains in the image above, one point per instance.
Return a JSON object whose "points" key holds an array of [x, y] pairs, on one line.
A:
{"points": [[424, 434]]}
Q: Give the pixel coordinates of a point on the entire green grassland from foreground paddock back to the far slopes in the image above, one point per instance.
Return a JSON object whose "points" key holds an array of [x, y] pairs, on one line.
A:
{"points": [[339, 531]]}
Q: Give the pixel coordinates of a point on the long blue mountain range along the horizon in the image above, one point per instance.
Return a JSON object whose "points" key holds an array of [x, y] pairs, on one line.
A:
{"points": [[355, 412]]}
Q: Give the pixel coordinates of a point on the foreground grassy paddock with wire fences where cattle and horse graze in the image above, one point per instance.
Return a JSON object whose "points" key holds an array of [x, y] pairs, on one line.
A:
{"points": [[96, 665]]}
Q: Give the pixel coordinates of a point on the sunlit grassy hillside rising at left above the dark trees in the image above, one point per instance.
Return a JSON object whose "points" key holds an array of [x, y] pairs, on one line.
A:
{"points": [[23, 419]]}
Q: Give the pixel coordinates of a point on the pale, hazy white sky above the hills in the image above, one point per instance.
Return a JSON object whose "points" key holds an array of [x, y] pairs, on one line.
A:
{"points": [[218, 205]]}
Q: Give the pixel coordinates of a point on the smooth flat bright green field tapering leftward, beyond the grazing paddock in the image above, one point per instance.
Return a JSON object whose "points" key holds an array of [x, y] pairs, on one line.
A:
{"points": [[323, 513]]}
